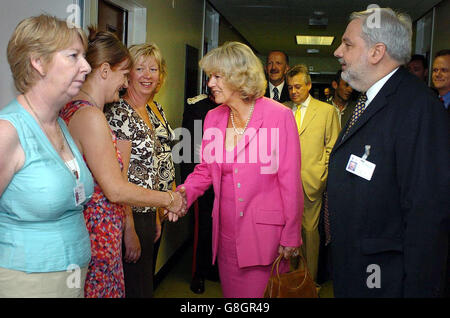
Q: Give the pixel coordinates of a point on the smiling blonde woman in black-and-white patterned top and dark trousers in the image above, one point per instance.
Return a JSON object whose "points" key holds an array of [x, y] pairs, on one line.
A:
{"points": [[139, 119]]}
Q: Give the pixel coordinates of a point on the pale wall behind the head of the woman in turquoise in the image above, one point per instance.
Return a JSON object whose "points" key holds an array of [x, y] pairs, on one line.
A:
{"points": [[11, 13]]}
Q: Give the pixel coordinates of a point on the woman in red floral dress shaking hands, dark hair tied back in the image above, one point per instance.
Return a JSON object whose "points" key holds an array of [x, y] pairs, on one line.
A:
{"points": [[104, 214]]}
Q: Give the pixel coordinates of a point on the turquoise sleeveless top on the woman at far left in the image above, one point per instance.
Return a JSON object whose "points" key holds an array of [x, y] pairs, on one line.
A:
{"points": [[41, 227]]}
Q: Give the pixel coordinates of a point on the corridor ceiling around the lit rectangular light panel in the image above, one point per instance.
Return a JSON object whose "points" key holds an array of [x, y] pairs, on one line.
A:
{"points": [[273, 24]]}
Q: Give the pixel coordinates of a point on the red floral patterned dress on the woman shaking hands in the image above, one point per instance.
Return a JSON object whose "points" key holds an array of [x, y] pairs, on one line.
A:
{"points": [[104, 221]]}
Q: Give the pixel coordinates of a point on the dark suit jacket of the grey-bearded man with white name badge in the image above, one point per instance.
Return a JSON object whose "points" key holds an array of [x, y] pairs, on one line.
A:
{"points": [[397, 224]]}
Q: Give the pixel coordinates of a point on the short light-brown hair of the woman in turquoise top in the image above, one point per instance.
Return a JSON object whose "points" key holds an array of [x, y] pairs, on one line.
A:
{"points": [[43, 36]]}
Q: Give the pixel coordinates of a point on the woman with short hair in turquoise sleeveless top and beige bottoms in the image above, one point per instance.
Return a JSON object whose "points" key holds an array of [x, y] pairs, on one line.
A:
{"points": [[44, 182]]}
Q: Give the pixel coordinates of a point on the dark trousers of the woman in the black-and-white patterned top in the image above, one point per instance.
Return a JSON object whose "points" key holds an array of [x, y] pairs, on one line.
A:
{"points": [[139, 275]]}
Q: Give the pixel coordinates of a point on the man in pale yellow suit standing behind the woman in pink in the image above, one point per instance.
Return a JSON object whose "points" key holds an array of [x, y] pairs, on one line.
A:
{"points": [[318, 129]]}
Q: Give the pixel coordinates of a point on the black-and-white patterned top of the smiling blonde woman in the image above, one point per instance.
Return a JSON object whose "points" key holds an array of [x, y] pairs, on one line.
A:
{"points": [[151, 163]]}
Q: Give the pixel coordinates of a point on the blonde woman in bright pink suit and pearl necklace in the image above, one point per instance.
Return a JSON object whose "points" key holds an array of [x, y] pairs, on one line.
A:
{"points": [[251, 156]]}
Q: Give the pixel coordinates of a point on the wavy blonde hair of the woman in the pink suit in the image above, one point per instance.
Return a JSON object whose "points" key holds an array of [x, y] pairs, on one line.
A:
{"points": [[241, 68]]}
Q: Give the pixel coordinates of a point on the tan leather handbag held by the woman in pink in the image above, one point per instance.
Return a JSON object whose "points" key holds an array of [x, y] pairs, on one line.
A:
{"points": [[294, 284]]}
